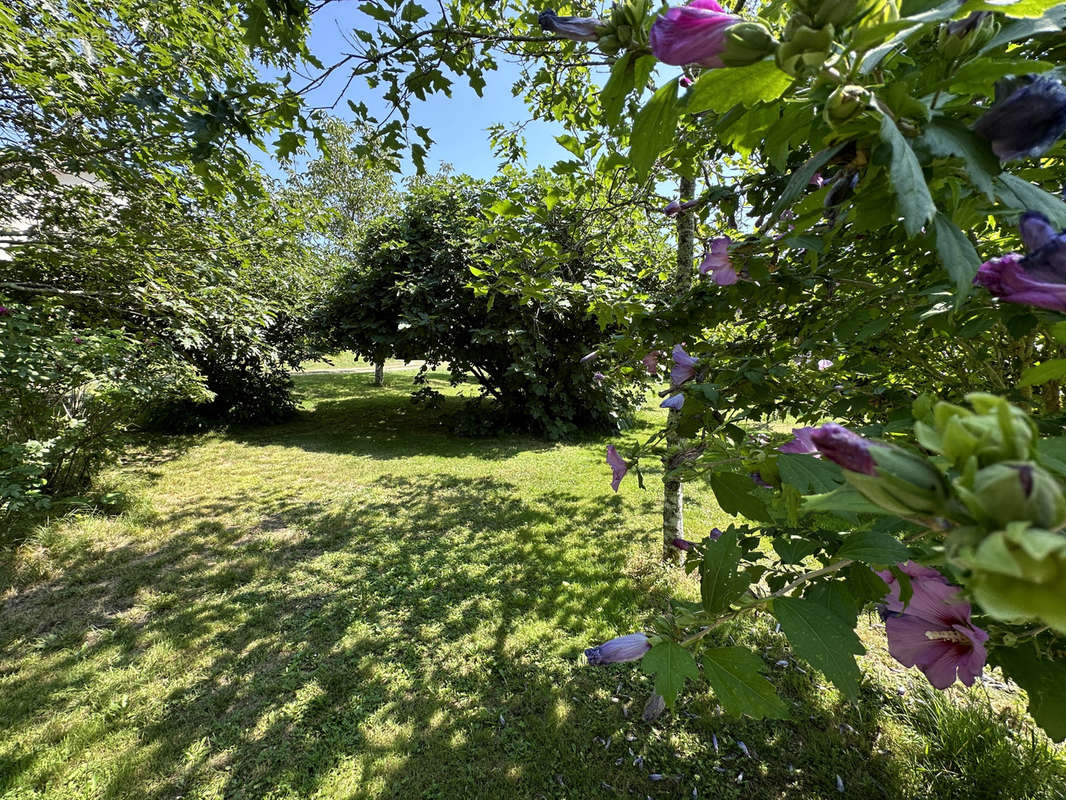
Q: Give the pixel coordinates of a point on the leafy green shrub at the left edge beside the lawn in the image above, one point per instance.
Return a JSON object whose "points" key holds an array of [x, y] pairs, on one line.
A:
{"points": [[68, 393]]}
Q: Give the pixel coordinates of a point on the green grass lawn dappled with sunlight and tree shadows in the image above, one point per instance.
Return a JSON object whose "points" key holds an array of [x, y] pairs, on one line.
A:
{"points": [[359, 605]]}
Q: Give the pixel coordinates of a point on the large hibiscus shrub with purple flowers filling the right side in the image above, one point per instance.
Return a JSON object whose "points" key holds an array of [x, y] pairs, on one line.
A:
{"points": [[882, 148]]}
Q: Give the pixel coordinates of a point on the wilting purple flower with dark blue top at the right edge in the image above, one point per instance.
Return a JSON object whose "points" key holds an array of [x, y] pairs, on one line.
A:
{"points": [[1038, 279]]}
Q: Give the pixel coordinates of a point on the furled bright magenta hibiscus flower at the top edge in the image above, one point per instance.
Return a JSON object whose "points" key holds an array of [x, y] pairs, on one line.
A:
{"points": [[692, 35]]}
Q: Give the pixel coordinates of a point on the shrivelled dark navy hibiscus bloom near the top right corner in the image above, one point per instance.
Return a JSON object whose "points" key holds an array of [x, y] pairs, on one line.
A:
{"points": [[1026, 123]]}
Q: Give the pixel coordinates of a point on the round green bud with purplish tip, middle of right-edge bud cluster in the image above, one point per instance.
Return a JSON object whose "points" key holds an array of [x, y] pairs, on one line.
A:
{"points": [[1020, 491]]}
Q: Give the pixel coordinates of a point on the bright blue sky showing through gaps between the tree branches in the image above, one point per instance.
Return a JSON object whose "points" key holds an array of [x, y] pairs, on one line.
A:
{"points": [[458, 125]]}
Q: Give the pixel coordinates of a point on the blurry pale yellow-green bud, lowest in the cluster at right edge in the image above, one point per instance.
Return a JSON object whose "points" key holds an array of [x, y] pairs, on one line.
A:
{"points": [[1021, 573]]}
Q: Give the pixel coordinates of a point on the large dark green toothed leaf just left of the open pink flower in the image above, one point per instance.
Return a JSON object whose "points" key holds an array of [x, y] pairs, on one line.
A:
{"points": [[822, 639]]}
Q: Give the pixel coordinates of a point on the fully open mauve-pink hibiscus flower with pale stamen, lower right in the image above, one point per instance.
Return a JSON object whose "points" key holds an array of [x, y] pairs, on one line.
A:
{"points": [[934, 632]]}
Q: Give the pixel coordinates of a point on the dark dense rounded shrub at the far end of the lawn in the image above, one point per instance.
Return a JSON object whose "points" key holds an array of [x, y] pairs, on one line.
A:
{"points": [[411, 296]]}
